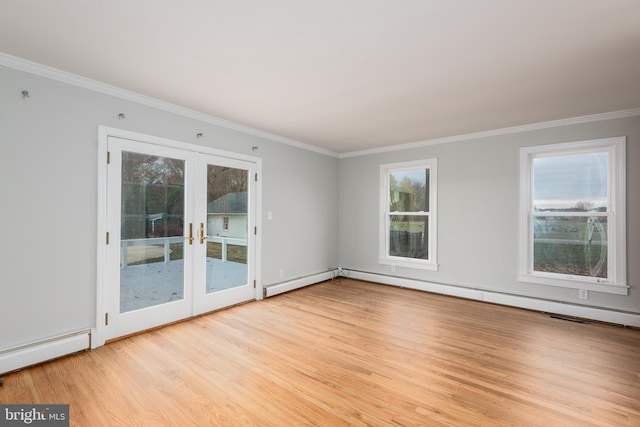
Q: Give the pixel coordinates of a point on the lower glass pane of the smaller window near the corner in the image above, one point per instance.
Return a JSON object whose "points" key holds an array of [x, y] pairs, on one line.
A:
{"points": [[408, 236]]}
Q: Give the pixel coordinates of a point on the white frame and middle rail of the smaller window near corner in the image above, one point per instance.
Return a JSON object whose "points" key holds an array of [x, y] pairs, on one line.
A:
{"points": [[384, 223]]}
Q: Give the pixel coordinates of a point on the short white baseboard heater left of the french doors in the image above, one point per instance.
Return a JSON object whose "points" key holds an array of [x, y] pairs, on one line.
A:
{"points": [[18, 357]]}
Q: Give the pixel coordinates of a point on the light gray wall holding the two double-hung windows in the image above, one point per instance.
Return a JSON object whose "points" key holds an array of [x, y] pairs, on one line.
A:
{"points": [[478, 202]]}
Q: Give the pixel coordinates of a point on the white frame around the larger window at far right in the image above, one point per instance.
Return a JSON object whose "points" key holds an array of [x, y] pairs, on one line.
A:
{"points": [[615, 283]]}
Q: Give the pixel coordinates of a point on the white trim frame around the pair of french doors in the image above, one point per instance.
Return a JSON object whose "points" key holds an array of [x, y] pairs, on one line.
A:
{"points": [[104, 133]]}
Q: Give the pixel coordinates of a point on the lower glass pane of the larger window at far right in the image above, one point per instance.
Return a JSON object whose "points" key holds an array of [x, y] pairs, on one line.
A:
{"points": [[575, 245]]}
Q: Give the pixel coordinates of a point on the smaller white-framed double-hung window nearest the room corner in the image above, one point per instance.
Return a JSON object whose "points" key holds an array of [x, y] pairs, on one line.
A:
{"points": [[408, 214]]}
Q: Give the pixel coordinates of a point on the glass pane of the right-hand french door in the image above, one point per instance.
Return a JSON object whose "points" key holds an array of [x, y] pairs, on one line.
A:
{"points": [[227, 227]]}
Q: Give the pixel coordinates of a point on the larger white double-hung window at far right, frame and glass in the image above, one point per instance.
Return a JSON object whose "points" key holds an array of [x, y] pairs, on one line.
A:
{"points": [[572, 225]]}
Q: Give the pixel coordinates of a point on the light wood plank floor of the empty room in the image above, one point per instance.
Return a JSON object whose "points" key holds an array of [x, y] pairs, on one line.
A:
{"points": [[351, 353]]}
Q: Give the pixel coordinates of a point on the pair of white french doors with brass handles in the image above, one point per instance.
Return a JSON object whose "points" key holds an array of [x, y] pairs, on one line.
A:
{"points": [[181, 239]]}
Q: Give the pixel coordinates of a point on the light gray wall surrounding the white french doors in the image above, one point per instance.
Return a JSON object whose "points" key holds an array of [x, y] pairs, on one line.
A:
{"points": [[48, 211]]}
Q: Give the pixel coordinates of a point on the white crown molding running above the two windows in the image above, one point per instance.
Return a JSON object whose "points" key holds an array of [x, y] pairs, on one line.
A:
{"points": [[497, 132]]}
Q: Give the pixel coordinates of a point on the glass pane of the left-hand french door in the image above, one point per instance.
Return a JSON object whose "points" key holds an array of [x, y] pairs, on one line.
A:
{"points": [[151, 236]]}
